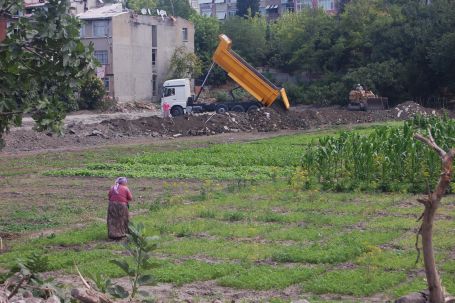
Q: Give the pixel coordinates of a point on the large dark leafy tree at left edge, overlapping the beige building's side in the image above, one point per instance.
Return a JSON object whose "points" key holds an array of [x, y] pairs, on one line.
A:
{"points": [[42, 63]]}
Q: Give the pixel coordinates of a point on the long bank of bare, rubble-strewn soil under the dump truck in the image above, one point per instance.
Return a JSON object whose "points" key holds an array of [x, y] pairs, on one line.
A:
{"points": [[116, 128]]}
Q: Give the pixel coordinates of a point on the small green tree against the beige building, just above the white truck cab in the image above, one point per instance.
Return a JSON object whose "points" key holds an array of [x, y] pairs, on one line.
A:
{"points": [[184, 64]]}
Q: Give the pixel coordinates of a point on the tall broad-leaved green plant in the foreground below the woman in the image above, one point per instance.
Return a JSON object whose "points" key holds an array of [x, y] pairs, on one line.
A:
{"points": [[139, 247]]}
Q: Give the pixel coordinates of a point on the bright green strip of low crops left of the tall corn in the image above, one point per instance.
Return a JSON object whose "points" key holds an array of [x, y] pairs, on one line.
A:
{"points": [[259, 160]]}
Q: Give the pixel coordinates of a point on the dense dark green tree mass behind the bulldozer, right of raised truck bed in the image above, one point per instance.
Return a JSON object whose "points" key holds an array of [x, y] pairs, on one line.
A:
{"points": [[400, 49]]}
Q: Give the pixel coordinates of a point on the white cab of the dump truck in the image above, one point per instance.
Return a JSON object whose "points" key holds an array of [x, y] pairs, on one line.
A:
{"points": [[176, 93]]}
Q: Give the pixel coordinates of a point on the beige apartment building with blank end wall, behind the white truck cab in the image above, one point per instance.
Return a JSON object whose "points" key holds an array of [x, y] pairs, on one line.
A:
{"points": [[134, 50]]}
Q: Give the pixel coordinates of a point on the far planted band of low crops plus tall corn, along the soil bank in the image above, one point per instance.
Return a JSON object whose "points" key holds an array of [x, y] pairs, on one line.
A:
{"points": [[385, 158]]}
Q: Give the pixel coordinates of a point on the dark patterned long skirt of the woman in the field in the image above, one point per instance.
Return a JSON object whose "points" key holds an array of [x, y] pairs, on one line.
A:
{"points": [[117, 220]]}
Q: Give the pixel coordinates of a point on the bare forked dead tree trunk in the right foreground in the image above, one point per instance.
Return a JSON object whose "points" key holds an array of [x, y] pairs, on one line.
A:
{"points": [[431, 204]]}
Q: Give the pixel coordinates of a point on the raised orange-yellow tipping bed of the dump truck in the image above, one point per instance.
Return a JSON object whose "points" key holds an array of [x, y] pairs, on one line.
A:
{"points": [[247, 76]]}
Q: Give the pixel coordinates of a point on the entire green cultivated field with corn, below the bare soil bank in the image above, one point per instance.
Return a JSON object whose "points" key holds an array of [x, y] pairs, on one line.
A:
{"points": [[263, 220]]}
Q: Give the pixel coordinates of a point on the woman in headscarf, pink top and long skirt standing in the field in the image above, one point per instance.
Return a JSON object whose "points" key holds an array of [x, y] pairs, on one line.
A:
{"points": [[117, 212]]}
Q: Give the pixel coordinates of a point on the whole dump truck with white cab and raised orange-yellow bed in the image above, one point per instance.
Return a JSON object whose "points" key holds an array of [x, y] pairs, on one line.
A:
{"points": [[177, 92]]}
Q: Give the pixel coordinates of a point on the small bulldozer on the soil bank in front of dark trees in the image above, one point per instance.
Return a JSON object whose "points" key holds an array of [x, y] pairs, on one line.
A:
{"points": [[360, 99]]}
